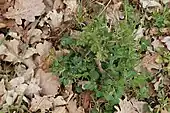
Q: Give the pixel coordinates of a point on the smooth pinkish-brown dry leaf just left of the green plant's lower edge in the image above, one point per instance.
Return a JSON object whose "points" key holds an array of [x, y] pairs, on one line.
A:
{"points": [[48, 82]]}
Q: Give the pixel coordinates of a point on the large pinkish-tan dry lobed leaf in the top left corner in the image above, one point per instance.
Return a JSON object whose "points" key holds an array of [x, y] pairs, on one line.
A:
{"points": [[25, 9]]}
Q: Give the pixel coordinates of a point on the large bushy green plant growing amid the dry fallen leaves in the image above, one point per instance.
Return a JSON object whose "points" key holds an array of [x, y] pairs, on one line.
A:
{"points": [[105, 59]]}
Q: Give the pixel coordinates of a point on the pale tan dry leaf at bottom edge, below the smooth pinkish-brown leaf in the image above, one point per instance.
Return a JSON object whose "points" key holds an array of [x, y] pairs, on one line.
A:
{"points": [[41, 103]]}
